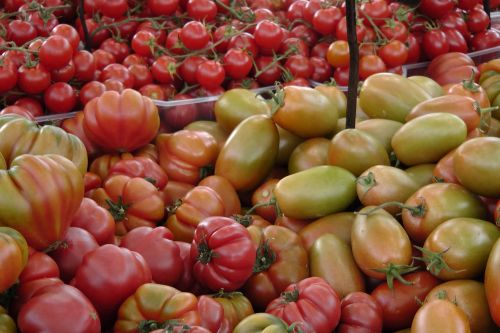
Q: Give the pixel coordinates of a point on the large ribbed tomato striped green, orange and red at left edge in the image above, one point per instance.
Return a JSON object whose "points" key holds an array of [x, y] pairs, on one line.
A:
{"points": [[40, 209]]}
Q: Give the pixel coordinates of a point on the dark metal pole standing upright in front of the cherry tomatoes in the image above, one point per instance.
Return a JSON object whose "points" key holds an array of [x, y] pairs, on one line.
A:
{"points": [[352, 39]]}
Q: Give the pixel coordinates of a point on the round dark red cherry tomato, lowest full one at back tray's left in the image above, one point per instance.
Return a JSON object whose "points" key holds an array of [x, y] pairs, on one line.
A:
{"points": [[60, 97]]}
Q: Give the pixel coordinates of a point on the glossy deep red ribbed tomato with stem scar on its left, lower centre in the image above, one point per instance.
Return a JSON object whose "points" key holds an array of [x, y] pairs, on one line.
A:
{"points": [[223, 253]]}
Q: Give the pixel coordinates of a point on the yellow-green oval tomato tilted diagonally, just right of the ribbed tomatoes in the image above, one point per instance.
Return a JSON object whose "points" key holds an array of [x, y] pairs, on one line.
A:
{"points": [[249, 153]]}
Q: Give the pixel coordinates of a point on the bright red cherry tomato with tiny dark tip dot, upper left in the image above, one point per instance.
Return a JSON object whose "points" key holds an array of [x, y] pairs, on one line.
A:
{"points": [[55, 52]]}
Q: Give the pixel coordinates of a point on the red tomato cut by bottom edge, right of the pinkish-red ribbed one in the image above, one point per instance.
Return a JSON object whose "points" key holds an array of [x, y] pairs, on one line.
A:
{"points": [[360, 311]]}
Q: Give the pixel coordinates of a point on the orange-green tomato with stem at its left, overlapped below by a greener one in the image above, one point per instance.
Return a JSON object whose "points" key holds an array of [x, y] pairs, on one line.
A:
{"points": [[436, 203]]}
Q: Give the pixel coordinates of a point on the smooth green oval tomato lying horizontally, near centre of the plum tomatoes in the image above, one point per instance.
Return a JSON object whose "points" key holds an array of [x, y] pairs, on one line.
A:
{"points": [[316, 192]]}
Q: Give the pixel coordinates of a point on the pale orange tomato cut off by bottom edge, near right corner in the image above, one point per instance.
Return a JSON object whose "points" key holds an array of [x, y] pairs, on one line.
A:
{"points": [[440, 315]]}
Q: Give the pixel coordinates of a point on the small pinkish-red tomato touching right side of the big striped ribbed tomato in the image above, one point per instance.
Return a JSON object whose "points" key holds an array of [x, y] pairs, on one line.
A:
{"points": [[96, 220]]}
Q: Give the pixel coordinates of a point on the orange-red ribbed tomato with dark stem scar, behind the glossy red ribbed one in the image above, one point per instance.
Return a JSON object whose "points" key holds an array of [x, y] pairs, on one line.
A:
{"points": [[281, 260]]}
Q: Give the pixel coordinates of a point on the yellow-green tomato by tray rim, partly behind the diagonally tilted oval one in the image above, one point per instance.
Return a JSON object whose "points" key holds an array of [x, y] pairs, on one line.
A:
{"points": [[237, 104]]}
